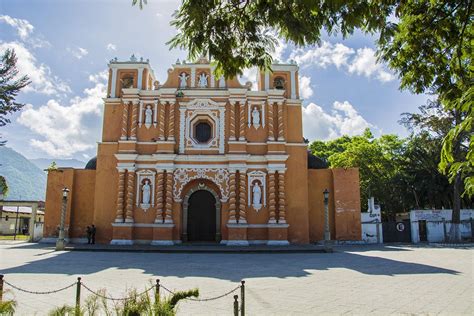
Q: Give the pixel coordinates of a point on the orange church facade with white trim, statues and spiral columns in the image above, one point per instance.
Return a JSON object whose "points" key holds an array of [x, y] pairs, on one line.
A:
{"points": [[202, 159]]}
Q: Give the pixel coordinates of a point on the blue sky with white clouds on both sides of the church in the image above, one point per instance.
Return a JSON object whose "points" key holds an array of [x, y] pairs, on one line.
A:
{"points": [[64, 46]]}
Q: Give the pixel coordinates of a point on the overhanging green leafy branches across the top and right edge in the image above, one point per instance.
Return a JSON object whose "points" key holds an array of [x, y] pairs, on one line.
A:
{"points": [[427, 43]]}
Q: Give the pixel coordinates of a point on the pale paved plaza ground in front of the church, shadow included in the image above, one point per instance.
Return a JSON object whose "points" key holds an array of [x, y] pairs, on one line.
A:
{"points": [[356, 279]]}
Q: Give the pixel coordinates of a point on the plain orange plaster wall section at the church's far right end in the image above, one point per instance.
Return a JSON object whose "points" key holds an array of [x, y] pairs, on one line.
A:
{"points": [[347, 204]]}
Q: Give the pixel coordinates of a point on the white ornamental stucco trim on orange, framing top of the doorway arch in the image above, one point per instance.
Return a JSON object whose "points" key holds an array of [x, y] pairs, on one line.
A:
{"points": [[219, 176]]}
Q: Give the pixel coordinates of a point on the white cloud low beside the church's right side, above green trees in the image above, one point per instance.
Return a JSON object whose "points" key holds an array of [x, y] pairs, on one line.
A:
{"points": [[343, 120]]}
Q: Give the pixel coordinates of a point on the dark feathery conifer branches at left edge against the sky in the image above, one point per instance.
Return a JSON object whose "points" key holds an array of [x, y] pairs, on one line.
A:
{"points": [[10, 86]]}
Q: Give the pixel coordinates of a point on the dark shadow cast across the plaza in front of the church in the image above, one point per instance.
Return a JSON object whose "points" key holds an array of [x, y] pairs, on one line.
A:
{"points": [[233, 267]]}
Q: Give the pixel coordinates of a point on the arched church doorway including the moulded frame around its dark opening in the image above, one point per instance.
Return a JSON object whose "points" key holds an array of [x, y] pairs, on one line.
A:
{"points": [[201, 215]]}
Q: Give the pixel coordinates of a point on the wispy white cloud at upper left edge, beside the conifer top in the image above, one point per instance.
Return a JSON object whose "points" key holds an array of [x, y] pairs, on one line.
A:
{"points": [[42, 80]]}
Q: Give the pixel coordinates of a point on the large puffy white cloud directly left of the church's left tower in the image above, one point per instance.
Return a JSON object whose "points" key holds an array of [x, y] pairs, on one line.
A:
{"points": [[63, 128]]}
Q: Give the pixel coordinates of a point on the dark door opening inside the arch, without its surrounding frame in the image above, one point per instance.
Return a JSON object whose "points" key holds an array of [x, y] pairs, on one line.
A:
{"points": [[202, 217]]}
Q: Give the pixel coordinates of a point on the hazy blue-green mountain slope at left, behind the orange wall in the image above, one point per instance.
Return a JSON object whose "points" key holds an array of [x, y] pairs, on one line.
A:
{"points": [[24, 179]]}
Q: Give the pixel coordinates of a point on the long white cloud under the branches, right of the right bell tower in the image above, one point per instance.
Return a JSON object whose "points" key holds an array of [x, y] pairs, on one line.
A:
{"points": [[361, 62]]}
